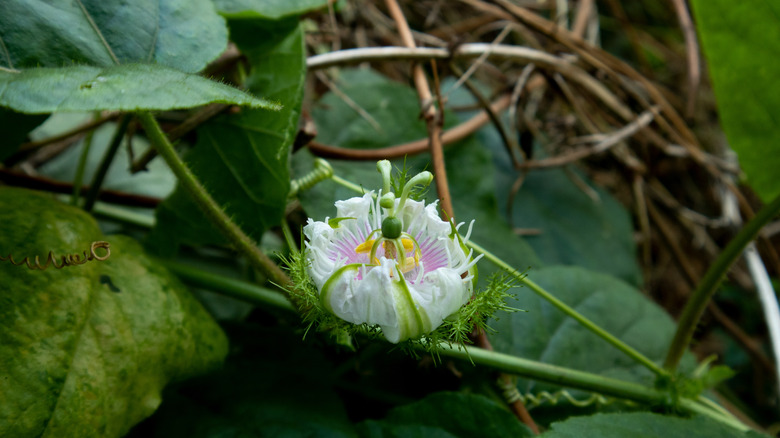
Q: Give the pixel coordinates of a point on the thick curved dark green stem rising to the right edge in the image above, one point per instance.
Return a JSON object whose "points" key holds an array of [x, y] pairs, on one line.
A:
{"points": [[709, 284]]}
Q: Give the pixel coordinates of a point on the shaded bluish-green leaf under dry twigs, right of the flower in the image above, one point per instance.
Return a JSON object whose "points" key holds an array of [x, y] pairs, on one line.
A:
{"points": [[574, 228]]}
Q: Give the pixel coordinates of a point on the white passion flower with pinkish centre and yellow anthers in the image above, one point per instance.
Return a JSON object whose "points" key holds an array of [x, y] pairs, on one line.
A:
{"points": [[406, 284]]}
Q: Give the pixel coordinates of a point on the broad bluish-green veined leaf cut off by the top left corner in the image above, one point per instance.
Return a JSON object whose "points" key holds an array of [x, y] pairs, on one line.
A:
{"points": [[183, 34]]}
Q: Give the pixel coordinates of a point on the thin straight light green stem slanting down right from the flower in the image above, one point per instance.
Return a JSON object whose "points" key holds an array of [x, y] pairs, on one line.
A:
{"points": [[585, 322]]}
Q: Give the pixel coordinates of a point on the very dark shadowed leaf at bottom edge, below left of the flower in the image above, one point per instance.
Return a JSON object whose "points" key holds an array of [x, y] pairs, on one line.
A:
{"points": [[288, 396]]}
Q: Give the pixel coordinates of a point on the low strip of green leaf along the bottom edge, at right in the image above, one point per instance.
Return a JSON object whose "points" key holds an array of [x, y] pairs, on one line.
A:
{"points": [[643, 425]]}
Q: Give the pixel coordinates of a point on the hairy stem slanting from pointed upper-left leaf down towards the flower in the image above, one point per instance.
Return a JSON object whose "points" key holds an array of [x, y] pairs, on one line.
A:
{"points": [[243, 243]]}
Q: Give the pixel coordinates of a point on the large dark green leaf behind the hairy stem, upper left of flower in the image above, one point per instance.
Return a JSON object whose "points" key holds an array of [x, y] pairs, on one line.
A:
{"points": [[243, 158]]}
